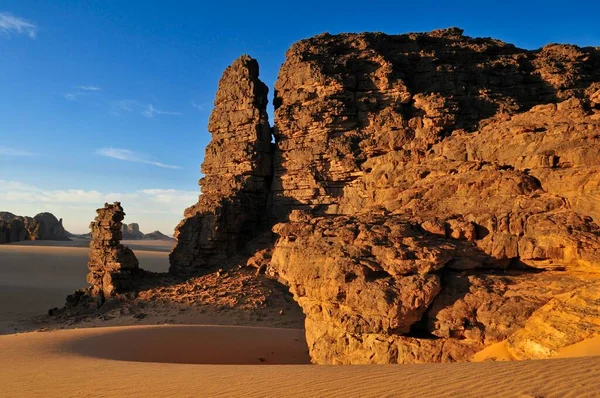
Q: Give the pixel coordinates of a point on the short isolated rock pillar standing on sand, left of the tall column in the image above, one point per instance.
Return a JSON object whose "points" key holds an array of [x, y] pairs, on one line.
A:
{"points": [[112, 265]]}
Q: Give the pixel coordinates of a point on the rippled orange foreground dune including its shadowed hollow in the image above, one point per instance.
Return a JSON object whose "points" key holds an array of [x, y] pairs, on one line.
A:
{"points": [[66, 363]]}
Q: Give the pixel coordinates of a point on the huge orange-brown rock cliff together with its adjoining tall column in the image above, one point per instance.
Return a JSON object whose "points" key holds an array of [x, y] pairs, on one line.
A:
{"points": [[430, 194]]}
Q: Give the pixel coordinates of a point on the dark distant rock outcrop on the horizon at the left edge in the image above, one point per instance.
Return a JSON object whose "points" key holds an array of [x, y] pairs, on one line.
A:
{"points": [[43, 226]]}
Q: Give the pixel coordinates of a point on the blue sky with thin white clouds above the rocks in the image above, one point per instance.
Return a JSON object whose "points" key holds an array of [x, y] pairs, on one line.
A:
{"points": [[109, 100]]}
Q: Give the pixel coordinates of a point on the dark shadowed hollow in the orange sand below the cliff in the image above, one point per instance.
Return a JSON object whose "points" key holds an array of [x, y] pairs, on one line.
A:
{"points": [[220, 345]]}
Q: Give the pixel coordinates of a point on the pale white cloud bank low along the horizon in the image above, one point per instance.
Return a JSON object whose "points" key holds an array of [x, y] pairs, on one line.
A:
{"points": [[153, 208]]}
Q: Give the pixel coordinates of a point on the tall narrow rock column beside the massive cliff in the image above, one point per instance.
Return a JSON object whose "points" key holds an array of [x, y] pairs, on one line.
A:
{"points": [[237, 169]]}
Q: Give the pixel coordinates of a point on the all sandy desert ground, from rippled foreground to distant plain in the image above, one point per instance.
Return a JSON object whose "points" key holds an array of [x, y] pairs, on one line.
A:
{"points": [[201, 360]]}
